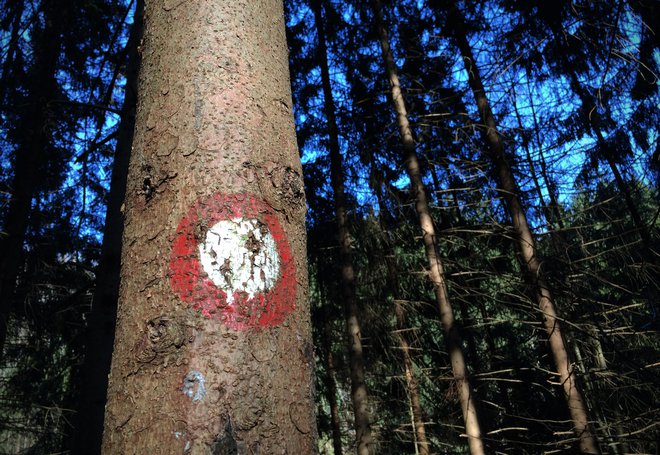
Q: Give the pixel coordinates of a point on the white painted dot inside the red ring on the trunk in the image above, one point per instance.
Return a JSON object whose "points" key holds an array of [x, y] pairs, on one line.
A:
{"points": [[240, 255]]}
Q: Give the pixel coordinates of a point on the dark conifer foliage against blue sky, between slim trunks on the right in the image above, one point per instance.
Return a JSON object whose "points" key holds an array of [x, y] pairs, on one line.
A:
{"points": [[602, 276]]}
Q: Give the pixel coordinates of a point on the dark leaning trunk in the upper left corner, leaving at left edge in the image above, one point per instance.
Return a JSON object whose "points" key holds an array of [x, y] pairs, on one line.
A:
{"points": [[31, 155]]}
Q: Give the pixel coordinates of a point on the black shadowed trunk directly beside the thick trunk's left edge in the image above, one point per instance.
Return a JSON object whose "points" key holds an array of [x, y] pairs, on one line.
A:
{"points": [[88, 431]]}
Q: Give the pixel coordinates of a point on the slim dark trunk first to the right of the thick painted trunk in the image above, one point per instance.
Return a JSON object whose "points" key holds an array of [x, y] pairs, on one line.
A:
{"points": [[356, 357]]}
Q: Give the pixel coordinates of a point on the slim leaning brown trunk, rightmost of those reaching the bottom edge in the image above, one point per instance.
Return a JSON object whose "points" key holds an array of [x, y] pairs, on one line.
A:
{"points": [[508, 189]]}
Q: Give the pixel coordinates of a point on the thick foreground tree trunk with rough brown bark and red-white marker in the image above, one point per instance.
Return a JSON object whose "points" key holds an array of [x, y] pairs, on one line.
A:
{"points": [[202, 365]]}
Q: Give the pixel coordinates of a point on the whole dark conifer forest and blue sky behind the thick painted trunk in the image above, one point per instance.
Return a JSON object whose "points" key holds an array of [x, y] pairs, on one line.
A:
{"points": [[483, 237]]}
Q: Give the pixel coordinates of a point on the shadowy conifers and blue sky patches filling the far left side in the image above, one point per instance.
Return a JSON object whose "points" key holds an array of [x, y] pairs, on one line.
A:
{"points": [[61, 80]]}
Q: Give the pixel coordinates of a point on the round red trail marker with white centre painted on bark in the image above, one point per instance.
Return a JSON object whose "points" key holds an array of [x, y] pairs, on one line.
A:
{"points": [[231, 261]]}
